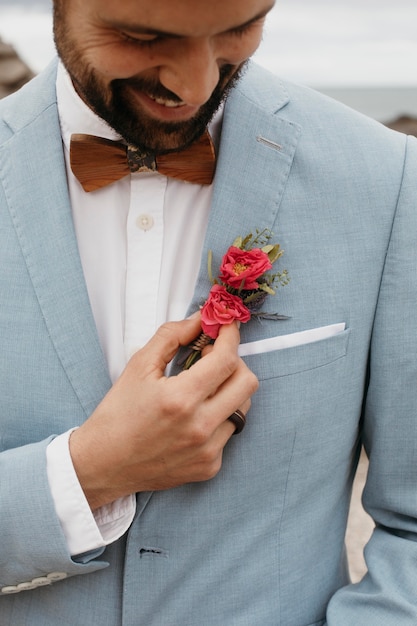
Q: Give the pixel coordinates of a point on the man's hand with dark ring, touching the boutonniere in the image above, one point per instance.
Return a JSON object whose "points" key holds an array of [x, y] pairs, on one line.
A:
{"points": [[151, 432]]}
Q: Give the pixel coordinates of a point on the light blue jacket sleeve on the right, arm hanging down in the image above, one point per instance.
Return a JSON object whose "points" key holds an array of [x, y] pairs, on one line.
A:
{"points": [[387, 594]]}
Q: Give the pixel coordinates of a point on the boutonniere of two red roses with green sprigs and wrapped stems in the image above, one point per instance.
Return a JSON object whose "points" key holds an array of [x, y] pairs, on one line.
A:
{"points": [[241, 288]]}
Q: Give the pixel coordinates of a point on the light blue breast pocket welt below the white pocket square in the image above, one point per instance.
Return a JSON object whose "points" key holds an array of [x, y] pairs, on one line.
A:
{"points": [[302, 358]]}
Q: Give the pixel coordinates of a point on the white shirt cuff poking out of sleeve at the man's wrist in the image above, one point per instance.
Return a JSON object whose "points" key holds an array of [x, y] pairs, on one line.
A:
{"points": [[84, 530]]}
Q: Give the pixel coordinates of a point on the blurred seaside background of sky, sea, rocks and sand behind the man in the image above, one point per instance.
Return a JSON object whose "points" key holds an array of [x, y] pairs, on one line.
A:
{"points": [[361, 52]]}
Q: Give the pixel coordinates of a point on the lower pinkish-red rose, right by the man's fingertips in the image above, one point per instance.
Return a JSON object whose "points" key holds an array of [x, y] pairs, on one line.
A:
{"points": [[221, 307]]}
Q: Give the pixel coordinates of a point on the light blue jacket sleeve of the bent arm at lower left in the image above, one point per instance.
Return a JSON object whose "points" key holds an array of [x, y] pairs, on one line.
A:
{"points": [[33, 544]]}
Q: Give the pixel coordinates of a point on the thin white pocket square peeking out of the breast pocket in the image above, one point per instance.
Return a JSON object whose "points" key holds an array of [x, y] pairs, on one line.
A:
{"points": [[290, 341]]}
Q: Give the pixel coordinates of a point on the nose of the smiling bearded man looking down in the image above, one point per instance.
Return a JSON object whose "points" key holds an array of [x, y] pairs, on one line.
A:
{"points": [[192, 71]]}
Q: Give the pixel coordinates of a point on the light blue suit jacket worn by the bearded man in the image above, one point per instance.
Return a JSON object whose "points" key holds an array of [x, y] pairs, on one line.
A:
{"points": [[262, 544]]}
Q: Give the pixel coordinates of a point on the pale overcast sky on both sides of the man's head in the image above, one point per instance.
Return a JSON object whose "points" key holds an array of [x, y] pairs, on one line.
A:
{"points": [[320, 43]]}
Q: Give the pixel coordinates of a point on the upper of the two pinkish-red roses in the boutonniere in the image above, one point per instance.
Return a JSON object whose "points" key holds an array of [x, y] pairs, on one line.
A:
{"points": [[241, 268]]}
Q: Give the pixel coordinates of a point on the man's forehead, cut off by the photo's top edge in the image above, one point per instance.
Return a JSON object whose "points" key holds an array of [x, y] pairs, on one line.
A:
{"points": [[184, 17]]}
